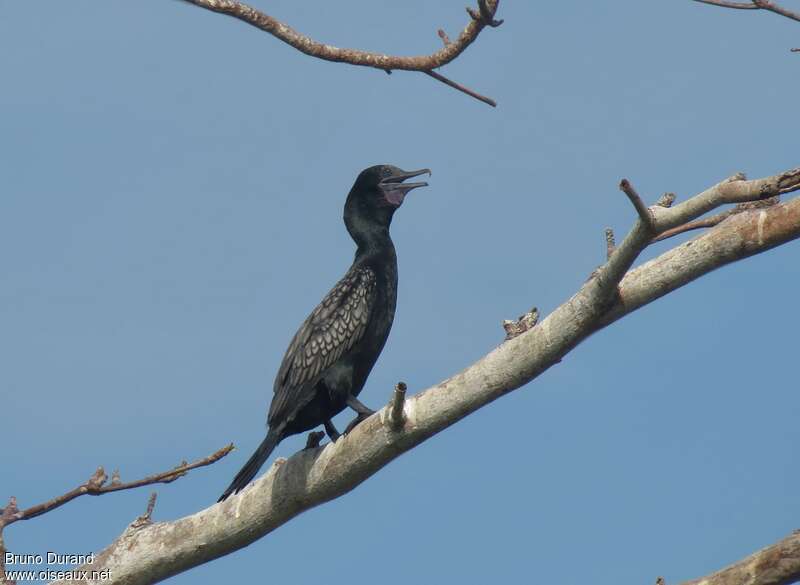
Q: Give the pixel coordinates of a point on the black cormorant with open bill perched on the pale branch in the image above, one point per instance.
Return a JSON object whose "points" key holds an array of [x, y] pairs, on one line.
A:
{"points": [[333, 352]]}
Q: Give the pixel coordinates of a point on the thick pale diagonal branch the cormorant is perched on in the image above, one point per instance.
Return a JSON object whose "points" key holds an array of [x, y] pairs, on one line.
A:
{"points": [[314, 476]]}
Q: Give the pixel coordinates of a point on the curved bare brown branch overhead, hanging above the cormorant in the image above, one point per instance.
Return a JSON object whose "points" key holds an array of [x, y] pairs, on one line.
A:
{"points": [[479, 19]]}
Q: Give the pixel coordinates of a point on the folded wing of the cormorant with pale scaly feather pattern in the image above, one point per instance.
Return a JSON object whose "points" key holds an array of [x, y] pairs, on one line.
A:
{"points": [[331, 329]]}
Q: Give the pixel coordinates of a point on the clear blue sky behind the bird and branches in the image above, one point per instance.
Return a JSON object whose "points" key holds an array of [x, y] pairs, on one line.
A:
{"points": [[172, 186]]}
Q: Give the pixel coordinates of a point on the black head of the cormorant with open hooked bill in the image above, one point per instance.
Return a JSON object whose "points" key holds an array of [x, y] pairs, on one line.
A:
{"points": [[376, 194]]}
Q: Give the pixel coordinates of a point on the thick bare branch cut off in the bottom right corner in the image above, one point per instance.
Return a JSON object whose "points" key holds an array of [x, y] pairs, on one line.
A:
{"points": [[777, 564]]}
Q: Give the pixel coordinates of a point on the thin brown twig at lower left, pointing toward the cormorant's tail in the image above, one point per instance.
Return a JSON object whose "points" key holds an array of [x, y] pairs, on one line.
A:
{"points": [[95, 486]]}
